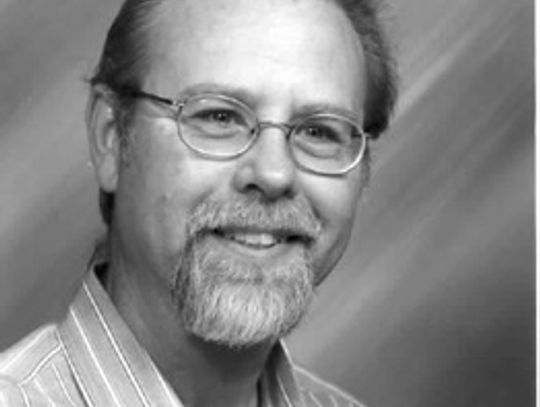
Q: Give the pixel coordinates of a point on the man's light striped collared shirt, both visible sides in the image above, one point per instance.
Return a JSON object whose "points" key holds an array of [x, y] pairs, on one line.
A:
{"points": [[91, 358]]}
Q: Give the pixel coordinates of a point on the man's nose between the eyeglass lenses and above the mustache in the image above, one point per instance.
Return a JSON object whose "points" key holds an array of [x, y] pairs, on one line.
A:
{"points": [[268, 166]]}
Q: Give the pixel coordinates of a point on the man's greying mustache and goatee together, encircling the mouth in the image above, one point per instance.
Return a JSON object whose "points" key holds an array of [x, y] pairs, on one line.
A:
{"points": [[237, 301]]}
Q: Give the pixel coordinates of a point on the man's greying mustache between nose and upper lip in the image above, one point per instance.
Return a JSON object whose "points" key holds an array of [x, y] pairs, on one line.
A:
{"points": [[287, 217]]}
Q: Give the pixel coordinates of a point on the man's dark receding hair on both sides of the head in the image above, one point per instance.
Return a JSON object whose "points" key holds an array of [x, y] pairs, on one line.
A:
{"points": [[124, 61]]}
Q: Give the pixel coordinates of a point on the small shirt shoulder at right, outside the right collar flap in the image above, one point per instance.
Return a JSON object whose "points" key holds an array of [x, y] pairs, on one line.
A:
{"points": [[318, 392]]}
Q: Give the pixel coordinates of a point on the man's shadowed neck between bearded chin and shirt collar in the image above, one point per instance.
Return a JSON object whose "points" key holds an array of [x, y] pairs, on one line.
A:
{"points": [[201, 373]]}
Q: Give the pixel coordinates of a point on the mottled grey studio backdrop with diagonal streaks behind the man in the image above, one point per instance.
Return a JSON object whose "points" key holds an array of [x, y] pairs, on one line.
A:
{"points": [[434, 303]]}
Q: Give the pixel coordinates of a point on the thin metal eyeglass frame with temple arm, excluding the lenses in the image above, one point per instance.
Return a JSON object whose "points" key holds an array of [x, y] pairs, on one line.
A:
{"points": [[287, 128]]}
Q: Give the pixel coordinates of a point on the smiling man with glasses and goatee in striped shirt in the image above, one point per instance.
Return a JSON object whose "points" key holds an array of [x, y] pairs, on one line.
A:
{"points": [[229, 140]]}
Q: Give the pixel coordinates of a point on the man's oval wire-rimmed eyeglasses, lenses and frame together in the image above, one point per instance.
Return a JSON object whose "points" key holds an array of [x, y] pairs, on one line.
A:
{"points": [[221, 127]]}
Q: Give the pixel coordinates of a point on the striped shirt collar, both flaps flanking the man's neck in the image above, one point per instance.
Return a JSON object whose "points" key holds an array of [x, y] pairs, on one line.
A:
{"points": [[112, 369]]}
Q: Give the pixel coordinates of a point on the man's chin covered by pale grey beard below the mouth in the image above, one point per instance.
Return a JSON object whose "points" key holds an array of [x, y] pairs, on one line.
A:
{"points": [[239, 303]]}
